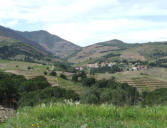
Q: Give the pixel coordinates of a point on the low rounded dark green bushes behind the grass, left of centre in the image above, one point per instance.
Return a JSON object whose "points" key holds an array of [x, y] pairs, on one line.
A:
{"points": [[47, 95]]}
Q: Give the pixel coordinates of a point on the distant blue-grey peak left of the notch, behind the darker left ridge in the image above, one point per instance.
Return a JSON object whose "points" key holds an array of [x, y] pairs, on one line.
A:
{"points": [[52, 43]]}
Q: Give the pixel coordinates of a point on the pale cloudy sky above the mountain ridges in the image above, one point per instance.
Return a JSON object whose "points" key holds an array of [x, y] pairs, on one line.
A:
{"points": [[85, 22]]}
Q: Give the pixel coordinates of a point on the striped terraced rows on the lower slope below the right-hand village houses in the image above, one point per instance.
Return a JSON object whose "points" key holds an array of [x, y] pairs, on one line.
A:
{"points": [[145, 83]]}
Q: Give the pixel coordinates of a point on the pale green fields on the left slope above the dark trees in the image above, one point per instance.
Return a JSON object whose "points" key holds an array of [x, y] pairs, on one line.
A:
{"points": [[21, 68]]}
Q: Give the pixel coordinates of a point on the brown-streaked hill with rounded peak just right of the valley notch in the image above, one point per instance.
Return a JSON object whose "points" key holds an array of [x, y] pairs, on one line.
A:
{"points": [[95, 51]]}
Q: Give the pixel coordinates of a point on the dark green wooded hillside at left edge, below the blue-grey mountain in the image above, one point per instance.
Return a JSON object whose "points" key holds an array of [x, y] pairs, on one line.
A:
{"points": [[14, 49]]}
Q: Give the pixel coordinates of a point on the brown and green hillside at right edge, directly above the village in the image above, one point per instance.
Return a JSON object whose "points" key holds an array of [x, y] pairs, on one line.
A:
{"points": [[146, 52]]}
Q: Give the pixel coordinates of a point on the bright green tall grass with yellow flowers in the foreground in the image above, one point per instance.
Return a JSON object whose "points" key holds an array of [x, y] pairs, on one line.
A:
{"points": [[88, 116]]}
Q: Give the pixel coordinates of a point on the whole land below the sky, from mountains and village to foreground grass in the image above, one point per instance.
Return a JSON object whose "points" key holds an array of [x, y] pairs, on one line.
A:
{"points": [[44, 75]]}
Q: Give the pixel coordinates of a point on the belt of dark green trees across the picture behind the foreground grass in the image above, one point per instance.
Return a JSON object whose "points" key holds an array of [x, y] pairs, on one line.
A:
{"points": [[16, 91]]}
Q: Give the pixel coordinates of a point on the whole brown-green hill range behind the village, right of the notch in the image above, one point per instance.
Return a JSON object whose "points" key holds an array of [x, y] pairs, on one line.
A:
{"points": [[114, 50]]}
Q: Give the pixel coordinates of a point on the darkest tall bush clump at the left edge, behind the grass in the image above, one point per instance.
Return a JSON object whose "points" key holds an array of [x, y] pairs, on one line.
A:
{"points": [[9, 89]]}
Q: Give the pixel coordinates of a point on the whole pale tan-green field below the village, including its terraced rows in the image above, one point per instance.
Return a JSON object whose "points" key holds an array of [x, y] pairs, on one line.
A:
{"points": [[144, 80]]}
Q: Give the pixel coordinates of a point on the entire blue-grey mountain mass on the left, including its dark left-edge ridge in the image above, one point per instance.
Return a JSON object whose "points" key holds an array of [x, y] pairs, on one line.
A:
{"points": [[42, 40]]}
